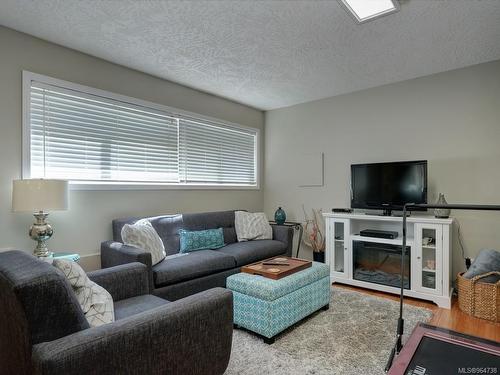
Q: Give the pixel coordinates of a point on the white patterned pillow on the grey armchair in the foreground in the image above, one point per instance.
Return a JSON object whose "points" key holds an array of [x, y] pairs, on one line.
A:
{"points": [[96, 302]]}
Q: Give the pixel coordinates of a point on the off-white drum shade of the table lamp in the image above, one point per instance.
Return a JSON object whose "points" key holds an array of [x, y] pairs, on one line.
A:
{"points": [[36, 195]]}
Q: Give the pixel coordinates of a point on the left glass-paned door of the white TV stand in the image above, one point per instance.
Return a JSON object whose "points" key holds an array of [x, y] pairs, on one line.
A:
{"points": [[339, 247]]}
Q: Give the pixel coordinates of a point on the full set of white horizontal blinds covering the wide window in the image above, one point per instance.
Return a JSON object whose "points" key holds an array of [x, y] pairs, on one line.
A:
{"points": [[83, 137]]}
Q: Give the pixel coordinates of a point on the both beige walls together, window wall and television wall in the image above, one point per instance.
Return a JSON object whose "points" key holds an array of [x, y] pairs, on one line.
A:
{"points": [[451, 119]]}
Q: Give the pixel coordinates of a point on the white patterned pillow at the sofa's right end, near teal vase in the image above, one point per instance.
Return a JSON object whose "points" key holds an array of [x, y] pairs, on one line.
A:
{"points": [[252, 226]]}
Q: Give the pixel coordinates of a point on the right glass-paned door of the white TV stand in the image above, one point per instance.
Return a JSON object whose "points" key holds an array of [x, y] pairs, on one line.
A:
{"points": [[428, 257]]}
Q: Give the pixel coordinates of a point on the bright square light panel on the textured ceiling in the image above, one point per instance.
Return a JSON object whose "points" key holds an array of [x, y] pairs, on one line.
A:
{"points": [[368, 10]]}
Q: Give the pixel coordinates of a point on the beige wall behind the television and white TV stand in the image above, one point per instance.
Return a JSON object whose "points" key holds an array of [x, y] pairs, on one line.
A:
{"points": [[451, 119]]}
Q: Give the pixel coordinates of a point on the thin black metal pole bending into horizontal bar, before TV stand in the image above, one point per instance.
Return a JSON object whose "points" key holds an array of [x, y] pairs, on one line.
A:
{"points": [[400, 329]]}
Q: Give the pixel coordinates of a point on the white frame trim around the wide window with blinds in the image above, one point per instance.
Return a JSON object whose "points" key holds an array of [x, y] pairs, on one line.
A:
{"points": [[28, 77]]}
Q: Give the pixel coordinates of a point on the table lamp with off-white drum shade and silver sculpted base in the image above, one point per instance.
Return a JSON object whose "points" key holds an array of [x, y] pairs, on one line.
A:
{"points": [[39, 196]]}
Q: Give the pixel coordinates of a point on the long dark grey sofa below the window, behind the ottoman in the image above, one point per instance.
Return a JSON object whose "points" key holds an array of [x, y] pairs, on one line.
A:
{"points": [[179, 276]]}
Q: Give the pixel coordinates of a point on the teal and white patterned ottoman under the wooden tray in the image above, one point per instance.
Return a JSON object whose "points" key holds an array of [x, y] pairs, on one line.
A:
{"points": [[267, 306]]}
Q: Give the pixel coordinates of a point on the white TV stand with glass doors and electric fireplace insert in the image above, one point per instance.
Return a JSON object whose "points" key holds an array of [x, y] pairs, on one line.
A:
{"points": [[430, 264]]}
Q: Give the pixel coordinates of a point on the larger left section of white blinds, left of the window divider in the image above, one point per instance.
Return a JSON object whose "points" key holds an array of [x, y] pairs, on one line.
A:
{"points": [[84, 137]]}
